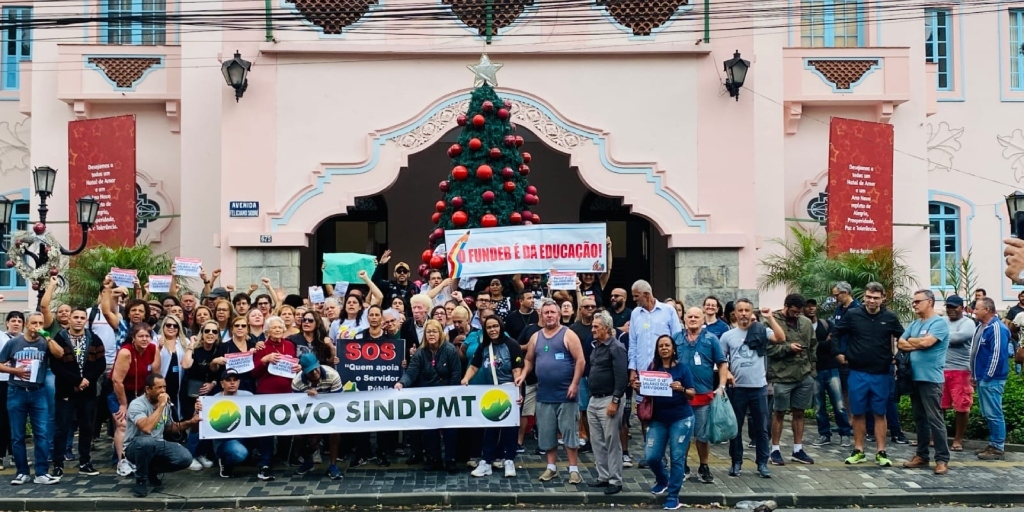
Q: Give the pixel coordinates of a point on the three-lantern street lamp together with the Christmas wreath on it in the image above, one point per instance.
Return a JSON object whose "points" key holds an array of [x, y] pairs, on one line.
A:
{"points": [[41, 248]]}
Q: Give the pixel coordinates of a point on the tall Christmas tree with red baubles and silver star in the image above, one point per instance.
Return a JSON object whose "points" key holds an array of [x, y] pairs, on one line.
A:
{"points": [[488, 186]]}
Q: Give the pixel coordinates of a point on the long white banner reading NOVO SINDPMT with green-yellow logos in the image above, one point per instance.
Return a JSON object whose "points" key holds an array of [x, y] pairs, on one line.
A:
{"points": [[410, 409]]}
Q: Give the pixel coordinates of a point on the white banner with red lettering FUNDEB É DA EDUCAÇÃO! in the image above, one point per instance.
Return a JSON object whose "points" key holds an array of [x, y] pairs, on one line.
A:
{"points": [[532, 249]]}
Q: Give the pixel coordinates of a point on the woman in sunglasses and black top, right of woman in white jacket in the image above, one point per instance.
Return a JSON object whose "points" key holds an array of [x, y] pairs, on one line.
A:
{"points": [[203, 362]]}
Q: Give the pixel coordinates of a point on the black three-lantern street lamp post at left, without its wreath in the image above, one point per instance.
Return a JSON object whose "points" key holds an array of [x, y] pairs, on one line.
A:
{"points": [[87, 209]]}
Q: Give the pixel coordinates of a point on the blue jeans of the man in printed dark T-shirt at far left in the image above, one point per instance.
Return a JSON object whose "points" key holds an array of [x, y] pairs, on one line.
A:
{"points": [[25, 405]]}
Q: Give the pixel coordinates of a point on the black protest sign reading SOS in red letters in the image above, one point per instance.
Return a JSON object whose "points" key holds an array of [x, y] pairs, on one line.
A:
{"points": [[371, 365]]}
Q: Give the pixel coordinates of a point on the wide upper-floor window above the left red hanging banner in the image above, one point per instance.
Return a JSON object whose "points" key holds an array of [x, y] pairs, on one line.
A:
{"points": [[135, 22]]}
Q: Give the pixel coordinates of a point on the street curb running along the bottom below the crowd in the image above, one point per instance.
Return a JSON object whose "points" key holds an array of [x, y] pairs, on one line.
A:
{"points": [[488, 500]]}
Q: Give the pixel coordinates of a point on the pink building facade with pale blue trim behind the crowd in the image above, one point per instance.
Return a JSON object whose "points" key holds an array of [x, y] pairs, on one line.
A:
{"points": [[340, 136]]}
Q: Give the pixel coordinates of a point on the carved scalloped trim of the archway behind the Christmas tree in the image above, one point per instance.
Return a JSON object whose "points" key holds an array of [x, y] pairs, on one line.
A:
{"points": [[335, 187]]}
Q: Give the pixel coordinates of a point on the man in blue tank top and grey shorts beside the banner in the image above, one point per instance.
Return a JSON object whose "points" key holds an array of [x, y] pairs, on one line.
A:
{"points": [[558, 355]]}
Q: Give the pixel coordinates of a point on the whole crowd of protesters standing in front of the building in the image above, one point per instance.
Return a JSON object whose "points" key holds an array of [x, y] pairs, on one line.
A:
{"points": [[137, 368]]}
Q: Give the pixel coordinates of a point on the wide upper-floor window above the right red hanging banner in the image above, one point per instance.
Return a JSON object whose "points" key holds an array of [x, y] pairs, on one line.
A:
{"points": [[832, 24]]}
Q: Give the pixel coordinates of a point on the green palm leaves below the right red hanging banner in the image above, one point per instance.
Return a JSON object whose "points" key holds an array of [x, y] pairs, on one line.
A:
{"points": [[804, 268]]}
